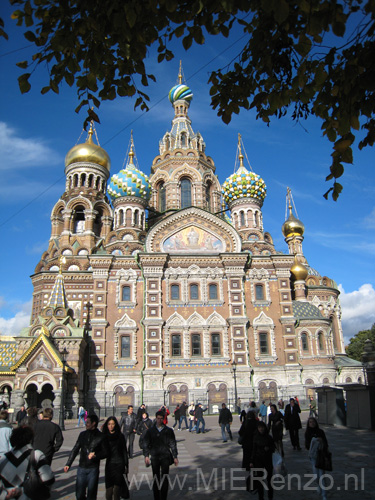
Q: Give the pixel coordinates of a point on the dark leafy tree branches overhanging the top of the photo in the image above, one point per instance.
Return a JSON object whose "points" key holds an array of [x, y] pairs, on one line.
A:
{"points": [[312, 57]]}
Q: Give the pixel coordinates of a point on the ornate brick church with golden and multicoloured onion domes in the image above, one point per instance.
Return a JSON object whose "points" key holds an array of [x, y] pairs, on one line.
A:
{"points": [[167, 288]]}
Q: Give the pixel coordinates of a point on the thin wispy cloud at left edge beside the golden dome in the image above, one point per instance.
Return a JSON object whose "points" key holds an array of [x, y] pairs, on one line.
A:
{"points": [[17, 151]]}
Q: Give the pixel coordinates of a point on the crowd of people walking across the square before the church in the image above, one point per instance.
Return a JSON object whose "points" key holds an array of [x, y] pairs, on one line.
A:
{"points": [[37, 438]]}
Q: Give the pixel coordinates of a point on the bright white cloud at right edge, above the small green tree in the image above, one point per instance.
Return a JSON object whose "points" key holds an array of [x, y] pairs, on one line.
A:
{"points": [[358, 310]]}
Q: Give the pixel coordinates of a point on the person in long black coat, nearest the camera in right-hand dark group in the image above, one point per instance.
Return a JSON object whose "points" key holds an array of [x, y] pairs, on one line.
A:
{"points": [[261, 458]]}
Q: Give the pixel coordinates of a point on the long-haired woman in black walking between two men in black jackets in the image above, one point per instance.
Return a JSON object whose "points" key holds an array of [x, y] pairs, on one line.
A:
{"points": [[117, 462]]}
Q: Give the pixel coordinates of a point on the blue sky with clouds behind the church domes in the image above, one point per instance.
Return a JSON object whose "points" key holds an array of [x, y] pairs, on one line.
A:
{"points": [[37, 131]]}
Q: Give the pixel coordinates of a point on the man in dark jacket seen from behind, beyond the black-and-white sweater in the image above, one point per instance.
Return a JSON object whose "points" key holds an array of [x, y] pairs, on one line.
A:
{"points": [[48, 437]]}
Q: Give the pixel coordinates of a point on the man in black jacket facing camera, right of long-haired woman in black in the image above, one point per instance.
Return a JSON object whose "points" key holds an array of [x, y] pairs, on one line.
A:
{"points": [[160, 443]]}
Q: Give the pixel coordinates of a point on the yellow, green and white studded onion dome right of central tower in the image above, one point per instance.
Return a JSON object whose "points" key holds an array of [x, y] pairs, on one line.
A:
{"points": [[244, 184]]}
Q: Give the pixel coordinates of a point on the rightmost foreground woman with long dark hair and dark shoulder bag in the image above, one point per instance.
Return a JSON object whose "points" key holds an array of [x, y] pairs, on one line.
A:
{"points": [[315, 440]]}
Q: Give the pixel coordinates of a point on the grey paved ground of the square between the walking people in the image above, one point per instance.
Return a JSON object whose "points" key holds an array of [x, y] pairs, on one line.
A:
{"points": [[210, 468]]}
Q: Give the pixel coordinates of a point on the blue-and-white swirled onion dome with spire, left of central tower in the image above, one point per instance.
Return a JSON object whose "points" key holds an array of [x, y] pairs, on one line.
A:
{"points": [[129, 182]]}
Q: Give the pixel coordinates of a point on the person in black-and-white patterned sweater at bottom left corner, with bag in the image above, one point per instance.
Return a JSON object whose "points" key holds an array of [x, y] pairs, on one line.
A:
{"points": [[16, 463]]}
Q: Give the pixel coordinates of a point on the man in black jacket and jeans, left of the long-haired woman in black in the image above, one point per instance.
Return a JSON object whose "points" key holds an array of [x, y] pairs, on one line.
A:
{"points": [[92, 446]]}
